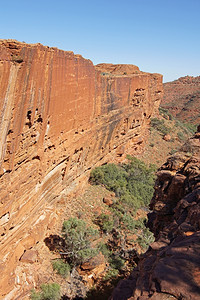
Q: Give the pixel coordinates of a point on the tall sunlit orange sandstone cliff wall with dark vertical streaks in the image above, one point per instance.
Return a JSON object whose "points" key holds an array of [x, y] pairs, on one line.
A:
{"points": [[60, 116]]}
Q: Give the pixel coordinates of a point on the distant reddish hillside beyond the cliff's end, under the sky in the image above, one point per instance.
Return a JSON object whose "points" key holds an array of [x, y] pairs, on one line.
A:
{"points": [[181, 98]]}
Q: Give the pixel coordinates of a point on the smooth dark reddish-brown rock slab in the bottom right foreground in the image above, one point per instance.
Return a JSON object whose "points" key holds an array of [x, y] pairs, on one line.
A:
{"points": [[174, 270]]}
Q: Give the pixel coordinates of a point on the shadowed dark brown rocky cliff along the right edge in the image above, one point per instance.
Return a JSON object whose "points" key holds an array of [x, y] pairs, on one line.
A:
{"points": [[170, 269]]}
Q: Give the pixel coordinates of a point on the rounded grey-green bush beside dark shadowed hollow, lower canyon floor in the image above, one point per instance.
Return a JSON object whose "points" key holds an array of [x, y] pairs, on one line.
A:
{"points": [[78, 237]]}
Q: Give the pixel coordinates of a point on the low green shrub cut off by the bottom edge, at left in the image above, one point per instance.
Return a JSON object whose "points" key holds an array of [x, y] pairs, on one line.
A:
{"points": [[49, 291]]}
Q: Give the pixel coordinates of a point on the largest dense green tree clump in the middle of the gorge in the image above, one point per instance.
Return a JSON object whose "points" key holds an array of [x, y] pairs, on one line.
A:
{"points": [[132, 182]]}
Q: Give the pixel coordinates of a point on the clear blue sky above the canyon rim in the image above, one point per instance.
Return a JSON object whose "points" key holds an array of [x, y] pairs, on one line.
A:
{"points": [[160, 36]]}
